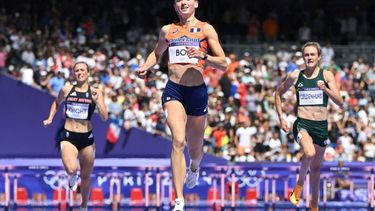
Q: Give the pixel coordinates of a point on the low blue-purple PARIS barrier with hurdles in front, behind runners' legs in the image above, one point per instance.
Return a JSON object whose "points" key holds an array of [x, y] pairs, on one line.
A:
{"points": [[132, 184]]}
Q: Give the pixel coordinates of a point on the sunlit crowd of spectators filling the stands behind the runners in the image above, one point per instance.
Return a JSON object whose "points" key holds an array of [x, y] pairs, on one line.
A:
{"points": [[242, 121]]}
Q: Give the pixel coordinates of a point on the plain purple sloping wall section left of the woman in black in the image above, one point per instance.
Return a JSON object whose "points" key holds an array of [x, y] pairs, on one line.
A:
{"points": [[22, 110]]}
